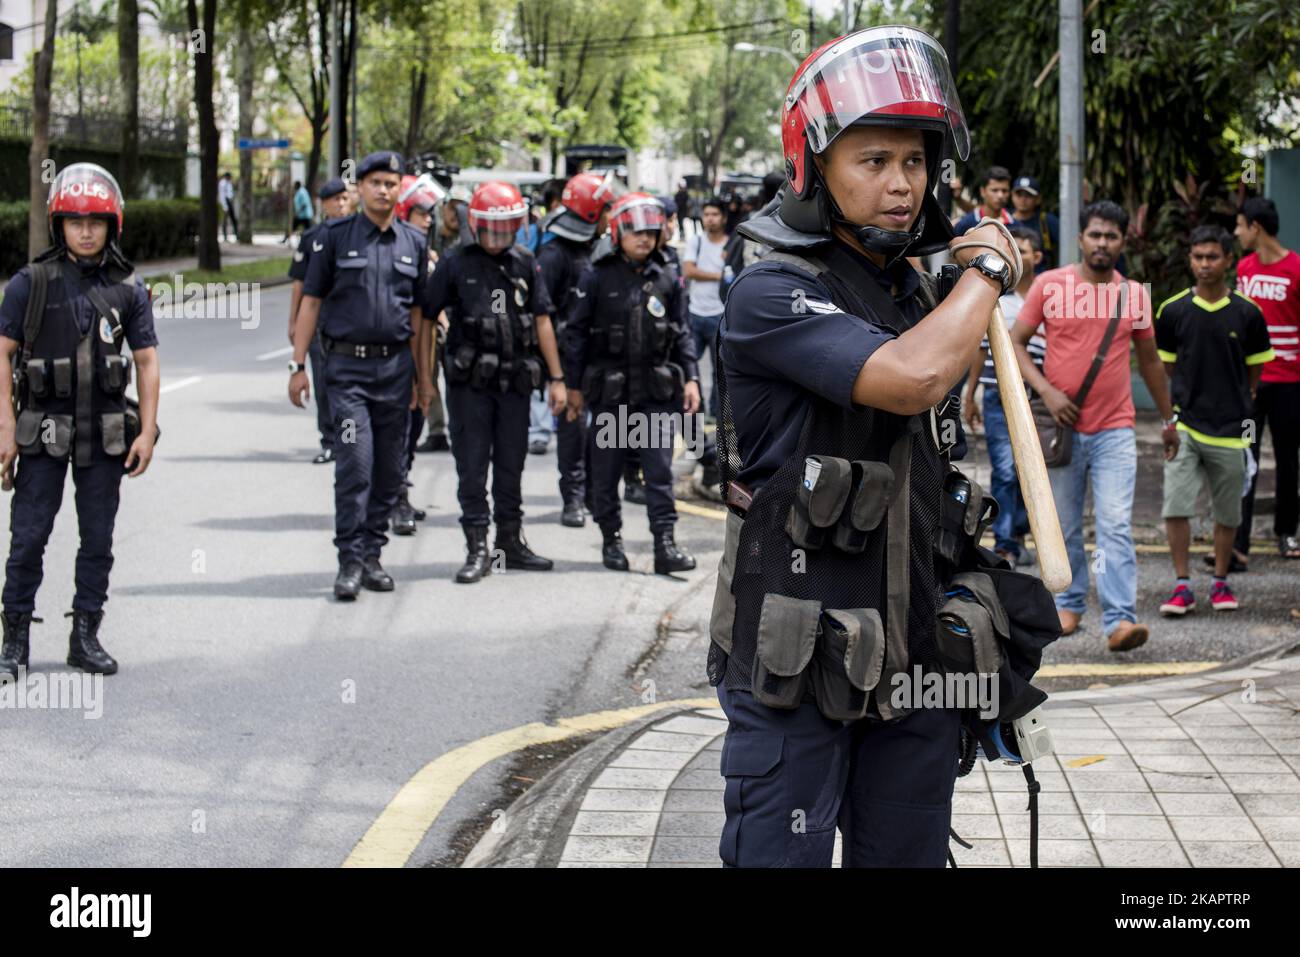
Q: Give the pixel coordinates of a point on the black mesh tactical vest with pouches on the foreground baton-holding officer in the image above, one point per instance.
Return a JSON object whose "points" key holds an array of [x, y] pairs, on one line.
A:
{"points": [[826, 594]]}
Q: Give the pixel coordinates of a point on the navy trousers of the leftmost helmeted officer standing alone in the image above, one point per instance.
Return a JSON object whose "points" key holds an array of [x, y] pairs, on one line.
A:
{"points": [[38, 493]]}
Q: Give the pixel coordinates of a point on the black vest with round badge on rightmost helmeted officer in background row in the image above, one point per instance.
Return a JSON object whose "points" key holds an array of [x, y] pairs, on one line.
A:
{"points": [[632, 335]]}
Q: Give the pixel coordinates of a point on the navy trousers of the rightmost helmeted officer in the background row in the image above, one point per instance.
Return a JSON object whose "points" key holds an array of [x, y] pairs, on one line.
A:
{"points": [[609, 451]]}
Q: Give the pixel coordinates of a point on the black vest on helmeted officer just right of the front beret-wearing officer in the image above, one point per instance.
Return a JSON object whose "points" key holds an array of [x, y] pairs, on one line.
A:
{"points": [[492, 341]]}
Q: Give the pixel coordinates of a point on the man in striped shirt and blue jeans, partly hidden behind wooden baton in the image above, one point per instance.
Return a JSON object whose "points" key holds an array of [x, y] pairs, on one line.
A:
{"points": [[1013, 521]]}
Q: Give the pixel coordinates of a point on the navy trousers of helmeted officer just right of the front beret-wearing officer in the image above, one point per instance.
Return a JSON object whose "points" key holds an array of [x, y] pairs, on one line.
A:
{"points": [[489, 428]]}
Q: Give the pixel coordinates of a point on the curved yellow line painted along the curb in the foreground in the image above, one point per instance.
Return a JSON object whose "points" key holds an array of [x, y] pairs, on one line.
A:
{"points": [[402, 825]]}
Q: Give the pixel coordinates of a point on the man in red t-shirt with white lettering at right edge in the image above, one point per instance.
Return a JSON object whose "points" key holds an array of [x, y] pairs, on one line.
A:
{"points": [[1271, 276]]}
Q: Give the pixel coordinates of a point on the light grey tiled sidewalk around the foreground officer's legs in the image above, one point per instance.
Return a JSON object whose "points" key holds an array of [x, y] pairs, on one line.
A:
{"points": [[1182, 773]]}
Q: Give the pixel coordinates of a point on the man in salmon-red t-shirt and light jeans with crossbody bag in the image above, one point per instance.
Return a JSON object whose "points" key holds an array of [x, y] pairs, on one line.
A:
{"points": [[1076, 304]]}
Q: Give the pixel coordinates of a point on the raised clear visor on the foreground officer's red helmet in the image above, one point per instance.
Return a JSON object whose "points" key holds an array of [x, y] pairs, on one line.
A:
{"points": [[889, 72]]}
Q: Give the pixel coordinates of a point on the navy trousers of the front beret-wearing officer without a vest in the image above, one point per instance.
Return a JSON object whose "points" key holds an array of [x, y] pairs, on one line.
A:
{"points": [[370, 400]]}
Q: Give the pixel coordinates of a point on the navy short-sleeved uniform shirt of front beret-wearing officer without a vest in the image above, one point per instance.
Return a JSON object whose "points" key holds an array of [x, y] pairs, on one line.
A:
{"points": [[369, 280]]}
